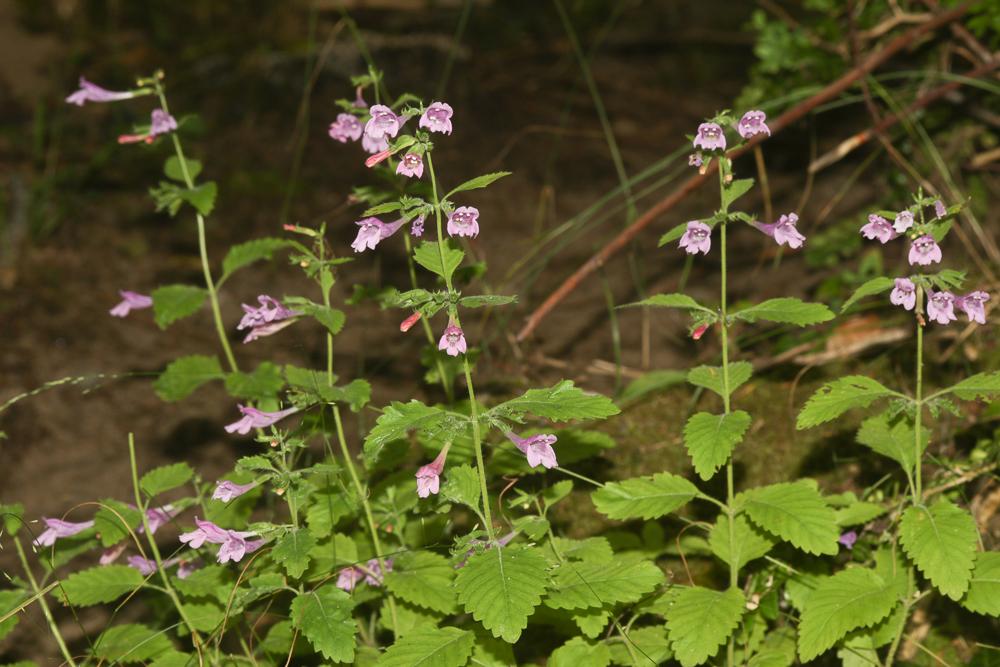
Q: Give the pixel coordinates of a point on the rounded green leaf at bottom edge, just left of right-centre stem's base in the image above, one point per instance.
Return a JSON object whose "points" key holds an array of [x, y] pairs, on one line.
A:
{"points": [[700, 620]]}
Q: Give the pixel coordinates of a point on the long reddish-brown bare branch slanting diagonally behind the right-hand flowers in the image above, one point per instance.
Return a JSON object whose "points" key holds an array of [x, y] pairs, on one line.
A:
{"points": [[692, 184]]}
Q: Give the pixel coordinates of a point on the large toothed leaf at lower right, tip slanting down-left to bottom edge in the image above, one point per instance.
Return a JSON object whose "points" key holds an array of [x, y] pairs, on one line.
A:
{"points": [[852, 598]]}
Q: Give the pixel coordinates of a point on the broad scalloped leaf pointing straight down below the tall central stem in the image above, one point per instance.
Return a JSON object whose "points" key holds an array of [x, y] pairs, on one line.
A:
{"points": [[501, 587]]}
